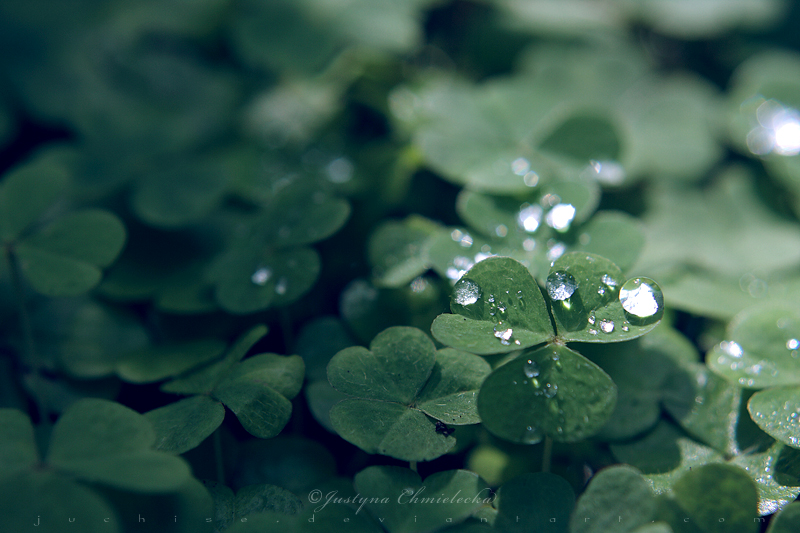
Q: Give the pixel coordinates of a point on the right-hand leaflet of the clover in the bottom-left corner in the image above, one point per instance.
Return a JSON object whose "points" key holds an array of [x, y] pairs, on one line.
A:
{"points": [[104, 442]]}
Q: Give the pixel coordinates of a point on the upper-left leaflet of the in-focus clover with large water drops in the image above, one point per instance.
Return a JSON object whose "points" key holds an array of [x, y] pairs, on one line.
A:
{"points": [[497, 308]]}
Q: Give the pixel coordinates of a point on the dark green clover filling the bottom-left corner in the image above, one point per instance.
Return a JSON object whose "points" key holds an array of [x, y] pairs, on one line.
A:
{"points": [[95, 442]]}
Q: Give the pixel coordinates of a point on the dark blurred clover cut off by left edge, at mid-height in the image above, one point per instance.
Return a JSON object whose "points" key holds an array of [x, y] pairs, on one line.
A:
{"points": [[64, 257]]}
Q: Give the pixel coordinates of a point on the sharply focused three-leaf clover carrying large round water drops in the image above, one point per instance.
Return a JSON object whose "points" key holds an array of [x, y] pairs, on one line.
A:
{"points": [[498, 308]]}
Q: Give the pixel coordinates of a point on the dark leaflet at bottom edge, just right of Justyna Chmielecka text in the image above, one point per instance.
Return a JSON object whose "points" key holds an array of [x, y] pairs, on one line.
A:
{"points": [[534, 502]]}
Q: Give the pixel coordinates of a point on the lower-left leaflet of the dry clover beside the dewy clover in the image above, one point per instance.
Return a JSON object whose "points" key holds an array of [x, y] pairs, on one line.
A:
{"points": [[389, 428]]}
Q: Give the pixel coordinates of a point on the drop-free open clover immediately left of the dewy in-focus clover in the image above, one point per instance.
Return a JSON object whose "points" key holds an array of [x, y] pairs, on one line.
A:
{"points": [[399, 388]]}
